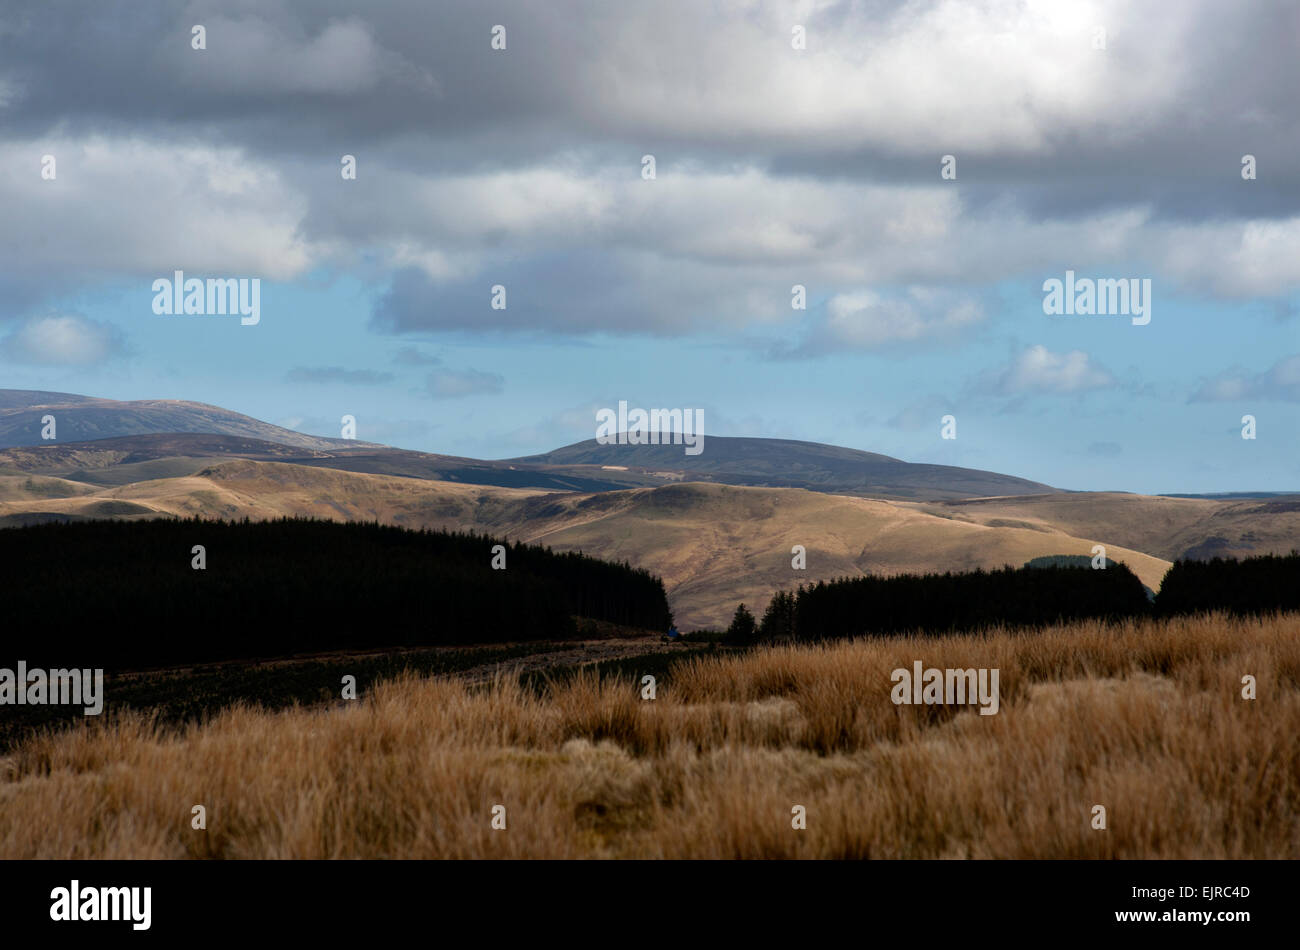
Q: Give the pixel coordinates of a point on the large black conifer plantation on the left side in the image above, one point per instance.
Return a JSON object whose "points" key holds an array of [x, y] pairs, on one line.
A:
{"points": [[124, 595]]}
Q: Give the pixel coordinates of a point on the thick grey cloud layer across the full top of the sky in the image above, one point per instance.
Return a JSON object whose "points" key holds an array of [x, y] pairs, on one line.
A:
{"points": [[1182, 94]]}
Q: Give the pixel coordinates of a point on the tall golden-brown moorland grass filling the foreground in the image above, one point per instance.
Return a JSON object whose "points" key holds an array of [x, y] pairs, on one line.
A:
{"points": [[1146, 719]]}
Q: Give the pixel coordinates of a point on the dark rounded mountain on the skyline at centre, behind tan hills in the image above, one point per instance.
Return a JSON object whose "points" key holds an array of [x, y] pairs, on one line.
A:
{"points": [[787, 463]]}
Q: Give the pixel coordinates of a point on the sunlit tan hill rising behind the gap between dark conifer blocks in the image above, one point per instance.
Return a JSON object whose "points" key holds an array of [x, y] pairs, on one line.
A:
{"points": [[717, 545]]}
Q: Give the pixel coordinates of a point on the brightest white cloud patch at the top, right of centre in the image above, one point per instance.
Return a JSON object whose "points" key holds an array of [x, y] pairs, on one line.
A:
{"points": [[1016, 75]]}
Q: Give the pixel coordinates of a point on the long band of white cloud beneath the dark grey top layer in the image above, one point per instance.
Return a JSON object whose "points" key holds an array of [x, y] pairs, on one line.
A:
{"points": [[727, 244]]}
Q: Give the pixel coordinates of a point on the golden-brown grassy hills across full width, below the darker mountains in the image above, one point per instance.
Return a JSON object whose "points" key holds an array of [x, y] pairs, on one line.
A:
{"points": [[714, 545]]}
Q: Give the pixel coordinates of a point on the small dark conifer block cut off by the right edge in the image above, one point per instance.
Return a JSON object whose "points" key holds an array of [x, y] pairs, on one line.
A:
{"points": [[1255, 585]]}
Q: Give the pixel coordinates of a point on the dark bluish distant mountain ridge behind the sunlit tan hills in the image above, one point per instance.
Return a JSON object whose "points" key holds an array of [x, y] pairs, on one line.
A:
{"points": [[97, 435]]}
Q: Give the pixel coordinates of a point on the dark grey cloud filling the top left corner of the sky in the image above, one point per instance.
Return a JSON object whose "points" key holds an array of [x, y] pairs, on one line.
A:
{"points": [[288, 79]]}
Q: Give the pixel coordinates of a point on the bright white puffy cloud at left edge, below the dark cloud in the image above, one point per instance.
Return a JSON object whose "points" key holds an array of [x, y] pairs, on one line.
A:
{"points": [[135, 207]]}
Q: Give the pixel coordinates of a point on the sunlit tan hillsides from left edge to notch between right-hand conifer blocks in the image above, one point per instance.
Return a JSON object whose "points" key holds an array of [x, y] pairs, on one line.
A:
{"points": [[713, 545]]}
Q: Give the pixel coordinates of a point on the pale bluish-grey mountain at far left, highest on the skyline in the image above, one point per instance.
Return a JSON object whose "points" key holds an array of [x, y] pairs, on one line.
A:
{"points": [[80, 419]]}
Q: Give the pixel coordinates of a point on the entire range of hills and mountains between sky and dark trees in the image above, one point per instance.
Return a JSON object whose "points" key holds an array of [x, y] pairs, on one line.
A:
{"points": [[718, 527]]}
